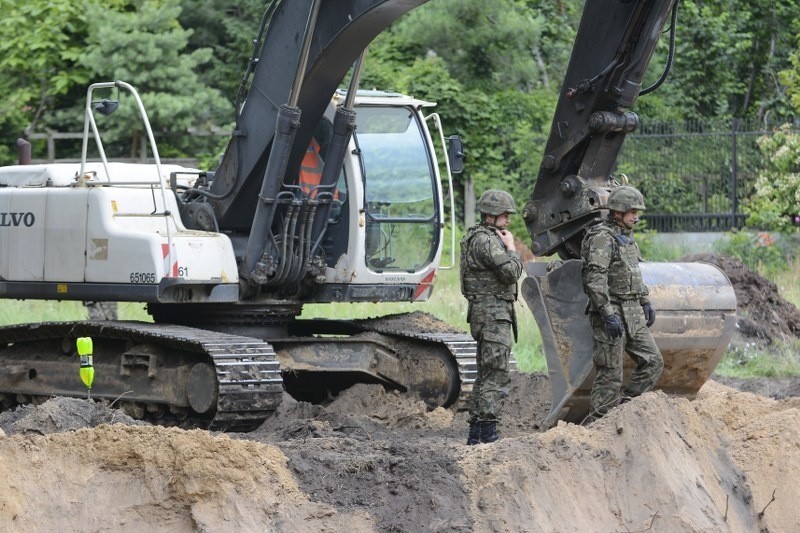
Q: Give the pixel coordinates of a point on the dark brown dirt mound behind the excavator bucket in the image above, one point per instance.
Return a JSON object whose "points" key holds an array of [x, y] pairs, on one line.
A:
{"points": [[763, 312]]}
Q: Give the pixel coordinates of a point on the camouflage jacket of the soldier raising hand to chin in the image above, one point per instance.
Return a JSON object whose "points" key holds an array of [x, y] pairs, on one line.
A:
{"points": [[489, 272]]}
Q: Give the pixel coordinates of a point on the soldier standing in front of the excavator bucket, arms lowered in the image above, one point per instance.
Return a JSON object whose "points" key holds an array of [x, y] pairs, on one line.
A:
{"points": [[619, 308]]}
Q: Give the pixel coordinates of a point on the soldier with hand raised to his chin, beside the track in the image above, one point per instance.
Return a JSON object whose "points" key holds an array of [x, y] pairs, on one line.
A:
{"points": [[489, 270]]}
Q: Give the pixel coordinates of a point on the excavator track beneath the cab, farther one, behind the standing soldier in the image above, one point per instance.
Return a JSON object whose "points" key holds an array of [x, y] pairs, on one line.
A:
{"points": [[412, 352]]}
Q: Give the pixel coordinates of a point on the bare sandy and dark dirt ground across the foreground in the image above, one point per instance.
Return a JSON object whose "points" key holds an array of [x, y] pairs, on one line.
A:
{"points": [[378, 461]]}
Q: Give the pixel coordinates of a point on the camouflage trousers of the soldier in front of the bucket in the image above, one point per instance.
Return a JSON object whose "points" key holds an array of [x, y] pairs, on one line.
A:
{"points": [[608, 360]]}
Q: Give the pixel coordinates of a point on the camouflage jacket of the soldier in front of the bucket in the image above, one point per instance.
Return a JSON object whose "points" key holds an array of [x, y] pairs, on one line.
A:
{"points": [[610, 269]]}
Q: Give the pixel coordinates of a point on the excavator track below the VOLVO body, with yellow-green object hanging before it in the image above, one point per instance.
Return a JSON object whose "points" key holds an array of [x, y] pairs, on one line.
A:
{"points": [[168, 374]]}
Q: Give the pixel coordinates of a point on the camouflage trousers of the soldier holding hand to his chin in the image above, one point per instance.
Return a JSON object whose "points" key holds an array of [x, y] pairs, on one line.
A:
{"points": [[490, 389]]}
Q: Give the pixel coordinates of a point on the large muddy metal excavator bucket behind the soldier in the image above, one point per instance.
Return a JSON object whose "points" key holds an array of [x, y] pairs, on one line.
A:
{"points": [[695, 305]]}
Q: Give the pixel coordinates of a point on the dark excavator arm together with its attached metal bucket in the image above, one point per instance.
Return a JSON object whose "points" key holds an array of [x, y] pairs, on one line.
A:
{"points": [[696, 302]]}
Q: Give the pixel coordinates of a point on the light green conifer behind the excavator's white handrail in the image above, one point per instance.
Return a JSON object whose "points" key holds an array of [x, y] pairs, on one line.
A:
{"points": [[144, 45]]}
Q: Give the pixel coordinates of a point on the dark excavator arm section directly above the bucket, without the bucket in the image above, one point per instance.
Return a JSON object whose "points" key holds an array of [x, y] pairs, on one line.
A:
{"points": [[612, 49]]}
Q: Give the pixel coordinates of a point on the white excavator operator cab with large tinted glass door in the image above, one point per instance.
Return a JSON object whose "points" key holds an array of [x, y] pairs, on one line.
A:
{"points": [[393, 189]]}
